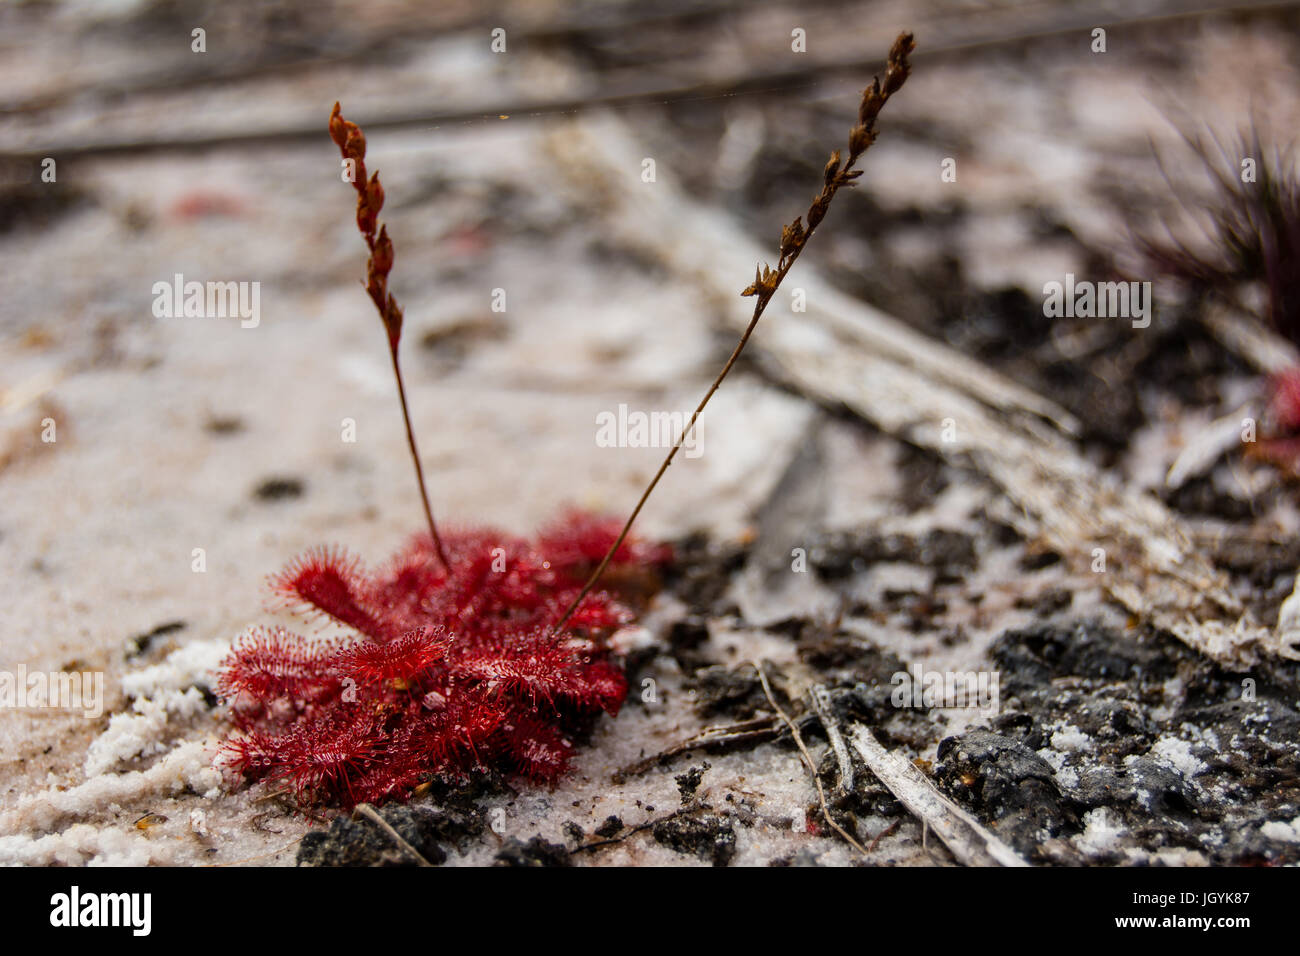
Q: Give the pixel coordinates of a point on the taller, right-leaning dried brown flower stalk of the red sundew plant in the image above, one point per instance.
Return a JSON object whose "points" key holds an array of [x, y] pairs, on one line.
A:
{"points": [[795, 239]]}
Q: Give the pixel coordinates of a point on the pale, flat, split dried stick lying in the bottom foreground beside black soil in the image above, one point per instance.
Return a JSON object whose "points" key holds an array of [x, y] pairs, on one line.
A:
{"points": [[963, 834]]}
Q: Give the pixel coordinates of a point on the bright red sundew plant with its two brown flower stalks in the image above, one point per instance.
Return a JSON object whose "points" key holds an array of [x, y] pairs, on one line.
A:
{"points": [[473, 651]]}
